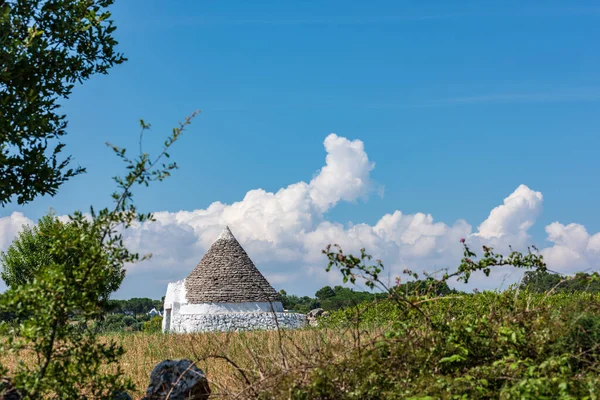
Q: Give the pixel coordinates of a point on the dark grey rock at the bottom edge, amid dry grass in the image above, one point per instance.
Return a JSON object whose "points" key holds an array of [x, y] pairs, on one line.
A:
{"points": [[181, 378]]}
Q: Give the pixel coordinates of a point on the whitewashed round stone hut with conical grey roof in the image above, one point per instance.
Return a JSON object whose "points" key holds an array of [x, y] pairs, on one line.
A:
{"points": [[225, 292]]}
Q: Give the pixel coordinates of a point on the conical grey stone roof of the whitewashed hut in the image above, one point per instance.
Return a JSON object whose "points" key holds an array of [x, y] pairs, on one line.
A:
{"points": [[227, 275]]}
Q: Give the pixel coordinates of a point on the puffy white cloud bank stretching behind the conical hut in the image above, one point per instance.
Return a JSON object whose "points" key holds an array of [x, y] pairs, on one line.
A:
{"points": [[284, 232]]}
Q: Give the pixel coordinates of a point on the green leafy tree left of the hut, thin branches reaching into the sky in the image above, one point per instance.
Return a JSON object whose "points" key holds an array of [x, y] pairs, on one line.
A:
{"points": [[72, 362]]}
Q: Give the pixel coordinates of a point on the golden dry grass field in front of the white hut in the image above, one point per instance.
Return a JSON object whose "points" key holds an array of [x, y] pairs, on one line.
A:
{"points": [[235, 363]]}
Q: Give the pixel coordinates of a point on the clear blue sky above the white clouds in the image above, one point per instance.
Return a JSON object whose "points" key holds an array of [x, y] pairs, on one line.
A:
{"points": [[457, 103]]}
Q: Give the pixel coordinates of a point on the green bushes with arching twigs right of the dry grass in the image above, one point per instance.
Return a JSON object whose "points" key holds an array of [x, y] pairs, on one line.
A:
{"points": [[514, 344]]}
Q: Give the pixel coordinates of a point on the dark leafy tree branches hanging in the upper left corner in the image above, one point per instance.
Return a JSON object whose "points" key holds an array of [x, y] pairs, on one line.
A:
{"points": [[46, 46]]}
